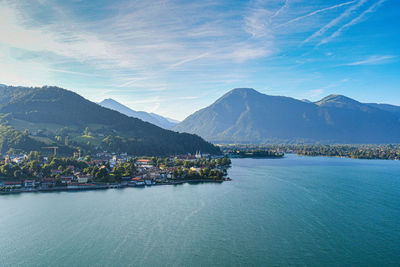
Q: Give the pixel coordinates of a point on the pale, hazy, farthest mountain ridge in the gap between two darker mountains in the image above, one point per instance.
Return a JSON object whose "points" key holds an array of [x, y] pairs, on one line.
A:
{"points": [[144, 116]]}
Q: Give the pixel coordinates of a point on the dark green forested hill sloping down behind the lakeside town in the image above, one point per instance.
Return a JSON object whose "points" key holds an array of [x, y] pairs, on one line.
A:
{"points": [[32, 118]]}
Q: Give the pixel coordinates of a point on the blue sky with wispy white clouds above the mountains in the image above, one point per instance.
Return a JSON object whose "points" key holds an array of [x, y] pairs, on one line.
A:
{"points": [[175, 57]]}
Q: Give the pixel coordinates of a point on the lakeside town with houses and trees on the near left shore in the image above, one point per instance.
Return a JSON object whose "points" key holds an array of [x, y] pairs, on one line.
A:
{"points": [[36, 173]]}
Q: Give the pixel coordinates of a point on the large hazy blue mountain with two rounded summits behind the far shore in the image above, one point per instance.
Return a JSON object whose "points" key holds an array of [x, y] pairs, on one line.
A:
{"points": [[244, 115]]}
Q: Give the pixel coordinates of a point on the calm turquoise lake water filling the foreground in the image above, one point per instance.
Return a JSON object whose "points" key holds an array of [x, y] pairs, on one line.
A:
{"points": [[280, 212]]}
